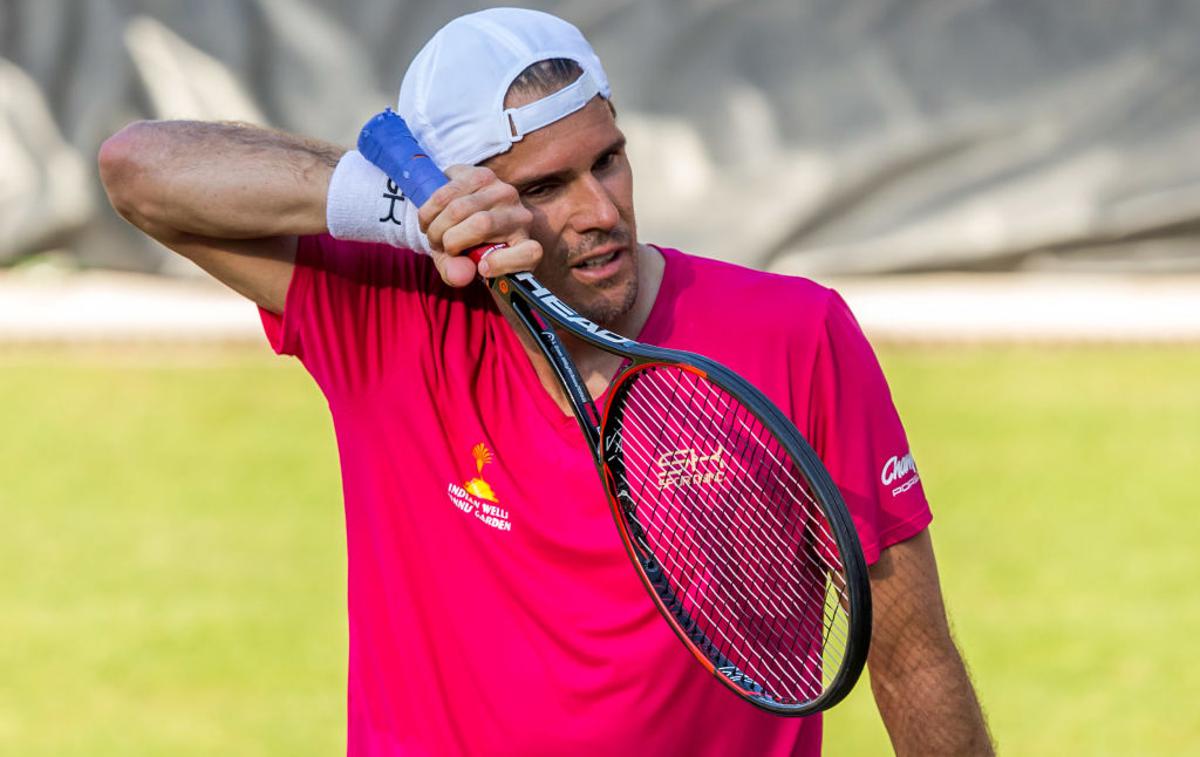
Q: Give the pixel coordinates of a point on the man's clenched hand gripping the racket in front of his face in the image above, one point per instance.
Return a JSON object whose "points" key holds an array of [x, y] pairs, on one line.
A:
{"points": [[476, 208]]}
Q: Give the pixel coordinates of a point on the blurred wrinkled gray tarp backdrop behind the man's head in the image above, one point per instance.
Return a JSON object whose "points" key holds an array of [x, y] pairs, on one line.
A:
{"points": [[812, 136]]}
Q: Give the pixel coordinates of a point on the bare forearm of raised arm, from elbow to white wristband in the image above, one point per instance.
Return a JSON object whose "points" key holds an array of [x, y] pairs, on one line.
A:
{"points": [[218, 181]]}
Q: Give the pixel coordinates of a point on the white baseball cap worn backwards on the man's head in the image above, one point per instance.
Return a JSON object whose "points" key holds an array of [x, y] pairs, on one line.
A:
{"points": [[453, 95]]}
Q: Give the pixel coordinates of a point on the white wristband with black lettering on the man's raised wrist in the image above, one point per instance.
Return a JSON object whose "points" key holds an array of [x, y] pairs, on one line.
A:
{"points": [[365, 206]]}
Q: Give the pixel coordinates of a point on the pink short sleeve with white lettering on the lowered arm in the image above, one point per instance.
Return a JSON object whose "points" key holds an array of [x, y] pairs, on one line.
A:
{"points": [[857, 432]]}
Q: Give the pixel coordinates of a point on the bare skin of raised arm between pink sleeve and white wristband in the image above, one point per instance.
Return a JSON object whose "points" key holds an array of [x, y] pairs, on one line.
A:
{"points": [[231, 197]]}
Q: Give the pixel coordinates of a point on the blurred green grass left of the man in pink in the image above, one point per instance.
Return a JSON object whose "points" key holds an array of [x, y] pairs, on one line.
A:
{"points": [[171, 558]]}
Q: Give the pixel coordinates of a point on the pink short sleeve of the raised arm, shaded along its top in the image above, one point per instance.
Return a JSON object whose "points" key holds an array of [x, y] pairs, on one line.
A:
{"points": [[352, 309]]}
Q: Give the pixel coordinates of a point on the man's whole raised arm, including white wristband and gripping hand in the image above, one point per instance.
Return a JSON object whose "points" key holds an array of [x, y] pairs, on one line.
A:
{"points": [[233, 199]]}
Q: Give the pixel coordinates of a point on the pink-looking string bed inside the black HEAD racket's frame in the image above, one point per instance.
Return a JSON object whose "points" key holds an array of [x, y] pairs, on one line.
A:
{"points": [[743, 544]]}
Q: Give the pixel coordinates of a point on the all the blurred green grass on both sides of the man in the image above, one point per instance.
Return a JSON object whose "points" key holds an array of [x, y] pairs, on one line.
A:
{"points": [[172, 563]]}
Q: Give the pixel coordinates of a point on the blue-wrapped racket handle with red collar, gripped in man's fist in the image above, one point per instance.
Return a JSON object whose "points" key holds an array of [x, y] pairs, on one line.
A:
{"points": [[387, 142]]}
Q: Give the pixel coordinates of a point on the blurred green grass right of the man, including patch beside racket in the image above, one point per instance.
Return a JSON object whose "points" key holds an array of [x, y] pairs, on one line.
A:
{"points": [[1065, 492]]}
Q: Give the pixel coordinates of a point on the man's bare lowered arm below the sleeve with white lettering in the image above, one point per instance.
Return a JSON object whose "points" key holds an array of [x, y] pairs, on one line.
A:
{"points": [[919, 678]]}
